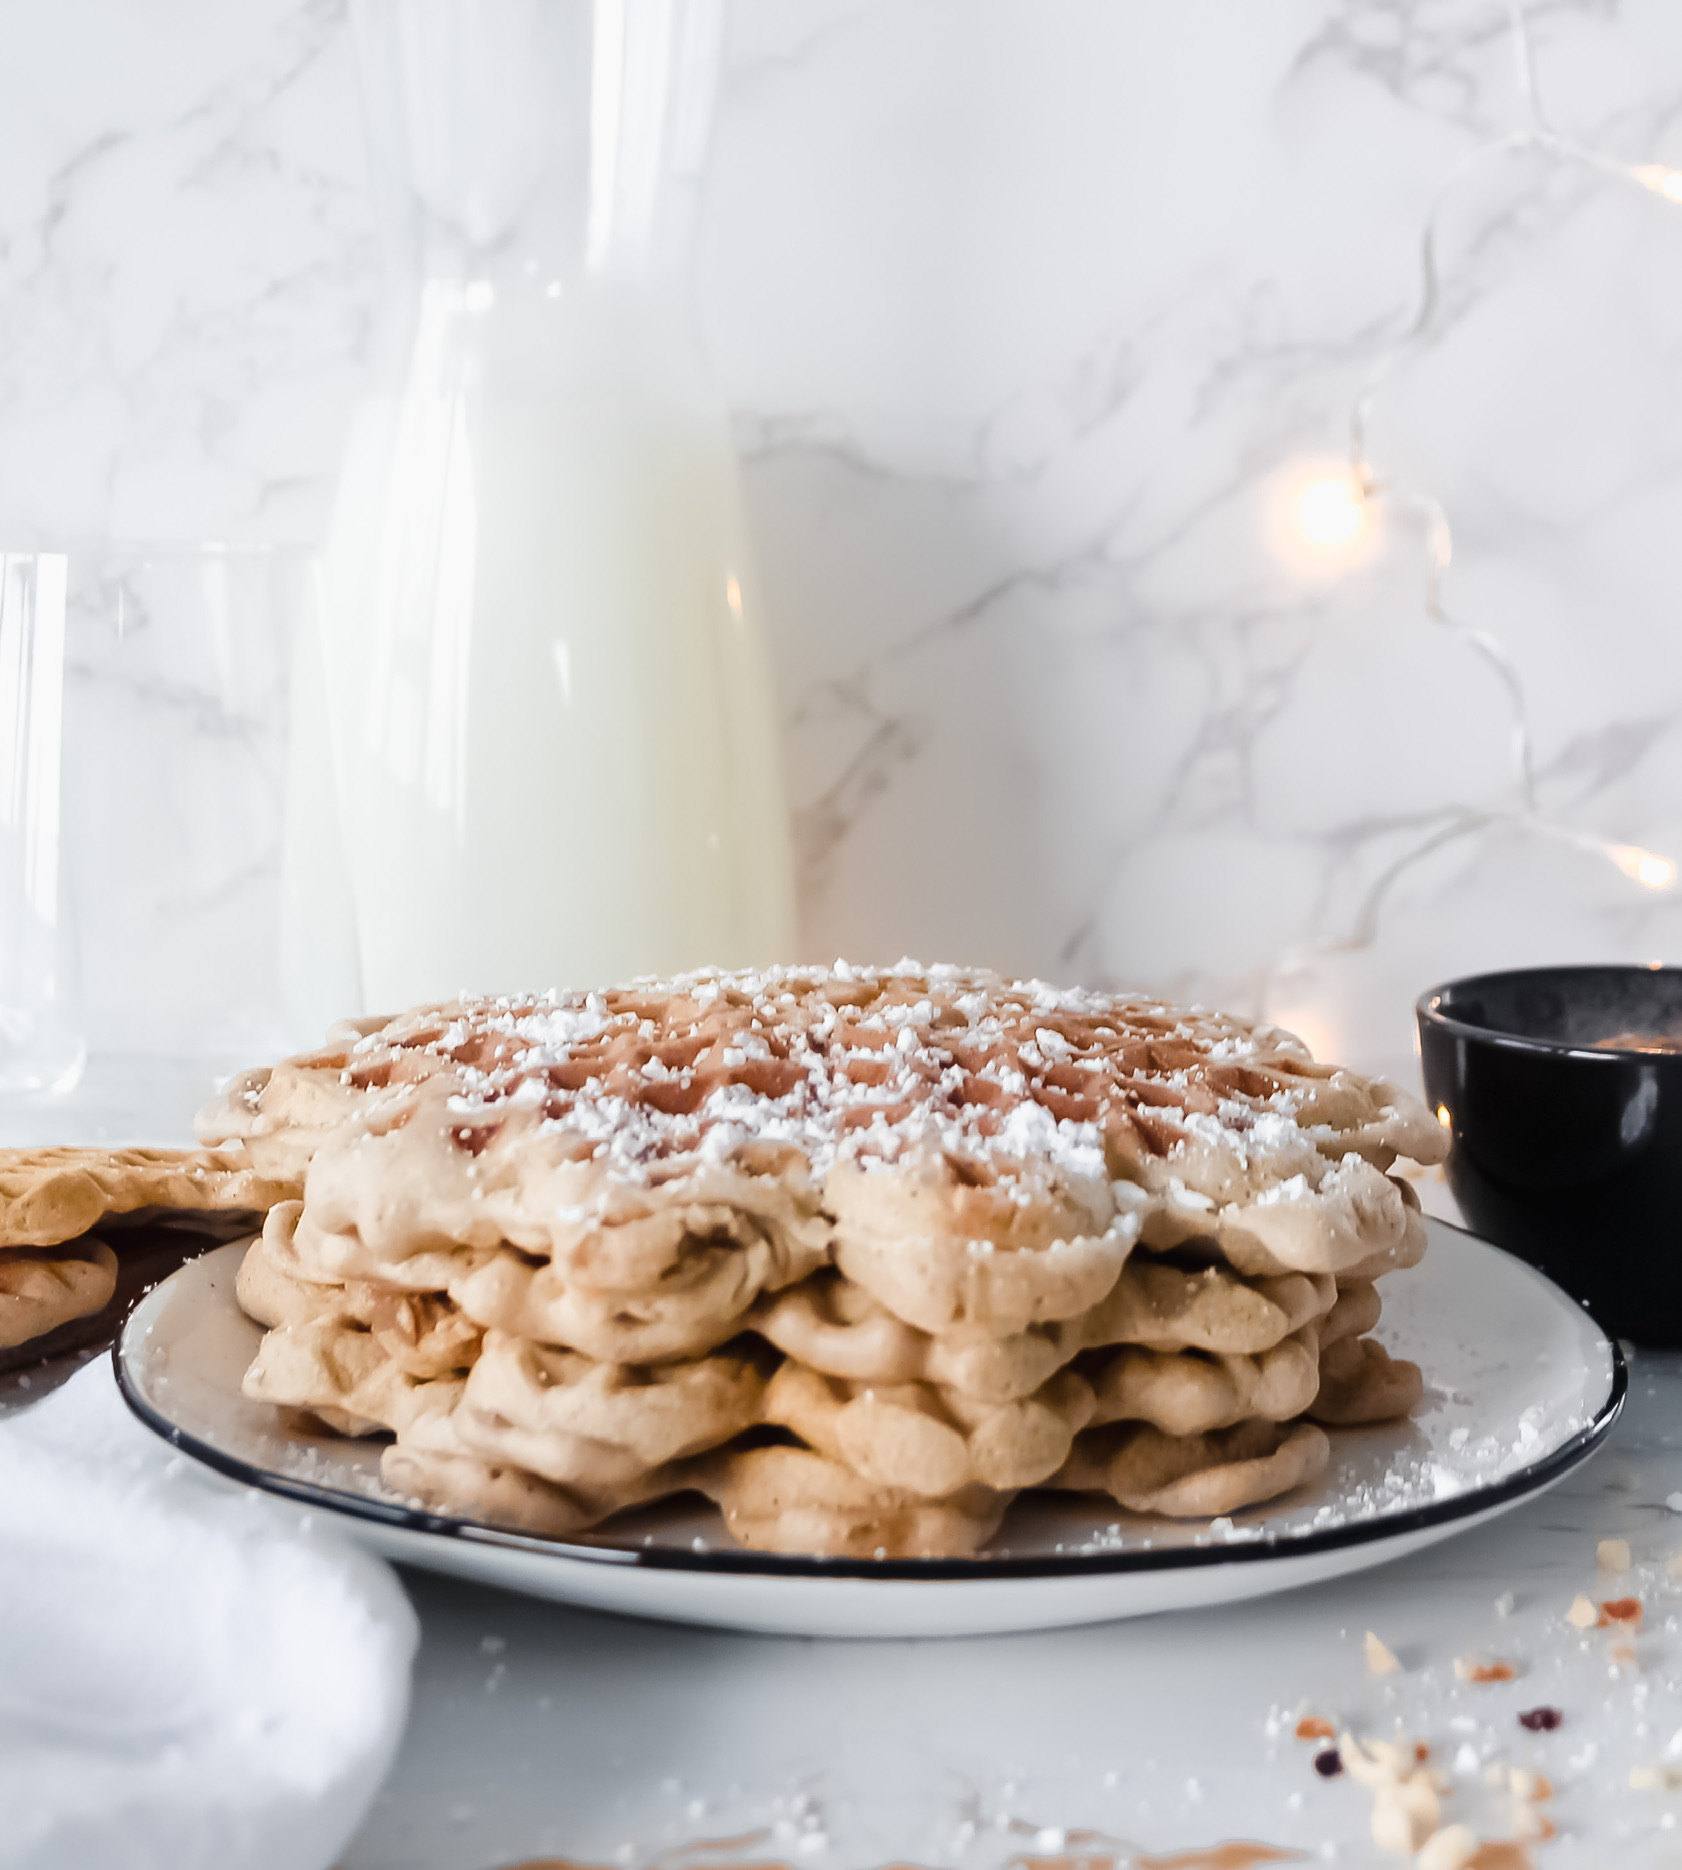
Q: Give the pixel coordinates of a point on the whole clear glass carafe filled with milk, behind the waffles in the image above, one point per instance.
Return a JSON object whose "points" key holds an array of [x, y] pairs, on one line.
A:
{"points": [[549, 704]]}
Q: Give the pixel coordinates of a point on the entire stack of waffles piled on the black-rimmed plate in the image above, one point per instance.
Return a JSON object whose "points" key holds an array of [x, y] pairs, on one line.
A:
{"points": [[858, 1254]]}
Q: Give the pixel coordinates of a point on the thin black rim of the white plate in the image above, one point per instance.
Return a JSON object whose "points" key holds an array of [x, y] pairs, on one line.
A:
{"points": [[1258, 1549]]}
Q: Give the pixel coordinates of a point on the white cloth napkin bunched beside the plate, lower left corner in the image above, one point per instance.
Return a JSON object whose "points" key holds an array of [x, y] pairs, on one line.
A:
{"points": [[188, 1676]]}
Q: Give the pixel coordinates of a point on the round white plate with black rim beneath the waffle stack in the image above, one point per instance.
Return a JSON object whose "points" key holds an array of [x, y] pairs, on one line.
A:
{"points": [[1522, 1388]]}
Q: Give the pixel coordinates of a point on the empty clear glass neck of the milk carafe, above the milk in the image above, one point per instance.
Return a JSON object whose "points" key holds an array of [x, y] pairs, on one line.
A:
{"points": [[540, 147]]}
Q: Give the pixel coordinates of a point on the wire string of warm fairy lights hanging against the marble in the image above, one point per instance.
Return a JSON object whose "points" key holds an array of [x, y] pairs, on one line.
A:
{"points": [[1333, 511]]}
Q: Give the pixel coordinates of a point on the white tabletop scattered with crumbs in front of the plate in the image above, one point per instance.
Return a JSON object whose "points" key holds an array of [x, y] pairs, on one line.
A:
{"points": [[547, 1731]]}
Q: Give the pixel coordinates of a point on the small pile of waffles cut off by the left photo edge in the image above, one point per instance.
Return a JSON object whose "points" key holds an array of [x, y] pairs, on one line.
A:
{"points": [[76, 1220]]}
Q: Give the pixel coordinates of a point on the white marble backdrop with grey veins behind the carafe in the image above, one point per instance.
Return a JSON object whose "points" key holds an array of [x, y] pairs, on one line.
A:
{"points": [[1036, 317]]}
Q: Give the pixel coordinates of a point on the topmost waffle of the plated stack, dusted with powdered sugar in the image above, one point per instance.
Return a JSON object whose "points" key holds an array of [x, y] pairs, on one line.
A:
{"points": [[912, 1106]]}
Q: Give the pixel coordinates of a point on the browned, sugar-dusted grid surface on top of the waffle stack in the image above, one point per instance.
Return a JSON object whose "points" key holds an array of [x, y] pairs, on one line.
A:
{"points": [[865, 1065]]}
